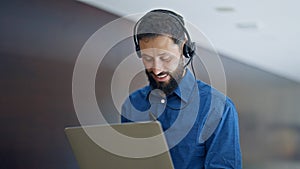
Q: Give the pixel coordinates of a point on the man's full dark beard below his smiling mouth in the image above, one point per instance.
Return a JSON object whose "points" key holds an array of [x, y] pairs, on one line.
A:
{"points": [[169, 86]]}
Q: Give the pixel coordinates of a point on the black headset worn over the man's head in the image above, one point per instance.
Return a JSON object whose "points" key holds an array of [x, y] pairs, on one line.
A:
{"points": [[189, 47]]}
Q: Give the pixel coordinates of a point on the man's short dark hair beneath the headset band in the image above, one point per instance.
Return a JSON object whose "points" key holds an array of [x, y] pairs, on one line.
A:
{"points": [[161, 22]]}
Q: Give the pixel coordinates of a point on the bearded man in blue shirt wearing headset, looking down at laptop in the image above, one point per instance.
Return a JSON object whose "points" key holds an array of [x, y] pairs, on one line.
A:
{"points": [[200, 123]]}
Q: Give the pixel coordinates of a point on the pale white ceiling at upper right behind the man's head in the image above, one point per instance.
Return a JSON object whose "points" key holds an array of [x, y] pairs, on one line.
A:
{"points": [[261, 33]]}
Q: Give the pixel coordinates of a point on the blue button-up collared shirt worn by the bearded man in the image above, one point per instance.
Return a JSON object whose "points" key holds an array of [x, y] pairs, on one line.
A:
{"points": [[200, 123]]}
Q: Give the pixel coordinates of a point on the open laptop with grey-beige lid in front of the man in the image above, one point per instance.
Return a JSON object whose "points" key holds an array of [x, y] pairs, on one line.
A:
{"points": [[120, 146]]}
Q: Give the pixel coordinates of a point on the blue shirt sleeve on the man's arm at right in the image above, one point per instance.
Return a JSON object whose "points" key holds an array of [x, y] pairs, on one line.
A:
{"points": [[223, 147]]}
